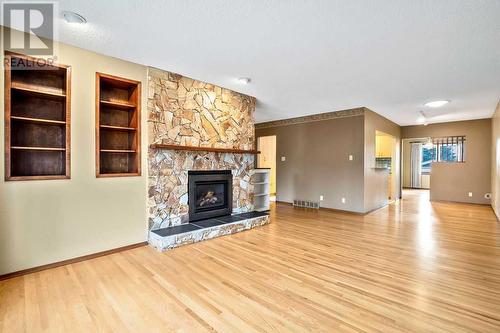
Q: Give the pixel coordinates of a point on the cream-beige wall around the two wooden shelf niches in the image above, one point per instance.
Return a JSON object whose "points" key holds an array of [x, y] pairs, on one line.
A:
{"points": [[52, 220]]}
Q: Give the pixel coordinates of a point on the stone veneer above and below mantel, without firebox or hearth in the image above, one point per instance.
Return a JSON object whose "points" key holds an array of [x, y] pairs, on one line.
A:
{"points": [[187, 112]]}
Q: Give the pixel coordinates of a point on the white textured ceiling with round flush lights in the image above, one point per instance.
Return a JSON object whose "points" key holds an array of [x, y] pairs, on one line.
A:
{"points": [[307, 57]]}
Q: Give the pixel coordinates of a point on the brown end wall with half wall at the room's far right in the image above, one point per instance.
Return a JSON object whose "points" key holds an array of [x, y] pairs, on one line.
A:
{"points": [[453, 181]]}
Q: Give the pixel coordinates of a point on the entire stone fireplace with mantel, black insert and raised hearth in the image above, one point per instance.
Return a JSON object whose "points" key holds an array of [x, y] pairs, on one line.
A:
{"points": [[200, 161]]}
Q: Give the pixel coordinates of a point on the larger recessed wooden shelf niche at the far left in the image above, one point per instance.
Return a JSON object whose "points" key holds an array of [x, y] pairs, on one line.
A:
{"points": [[37, 119]]}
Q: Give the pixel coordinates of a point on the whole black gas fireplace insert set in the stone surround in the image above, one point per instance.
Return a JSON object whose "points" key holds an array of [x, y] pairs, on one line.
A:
{"points": [[210, 194]]}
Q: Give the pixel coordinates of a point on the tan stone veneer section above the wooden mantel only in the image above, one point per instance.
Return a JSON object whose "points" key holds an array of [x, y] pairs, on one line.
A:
{"points": [[188, 112]]}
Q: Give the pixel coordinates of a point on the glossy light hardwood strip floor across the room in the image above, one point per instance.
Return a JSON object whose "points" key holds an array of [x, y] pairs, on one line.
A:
{"points": [[413, 266]]}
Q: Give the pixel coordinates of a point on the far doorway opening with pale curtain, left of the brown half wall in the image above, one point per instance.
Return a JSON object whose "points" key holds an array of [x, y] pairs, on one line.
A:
{"points": [[417, 159]]}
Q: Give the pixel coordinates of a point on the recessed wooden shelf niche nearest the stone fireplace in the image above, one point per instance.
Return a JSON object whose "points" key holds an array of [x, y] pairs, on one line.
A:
{"points": [[118, 124]]}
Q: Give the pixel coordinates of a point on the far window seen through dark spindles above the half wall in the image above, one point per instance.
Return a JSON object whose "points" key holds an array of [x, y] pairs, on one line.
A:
{"points": [[446, 149]]}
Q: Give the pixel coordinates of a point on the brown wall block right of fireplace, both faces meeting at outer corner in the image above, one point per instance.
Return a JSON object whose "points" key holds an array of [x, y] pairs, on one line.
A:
{"points": [[317, 150]]}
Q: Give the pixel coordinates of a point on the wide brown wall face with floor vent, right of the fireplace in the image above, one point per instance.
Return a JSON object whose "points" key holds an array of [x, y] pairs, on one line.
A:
{"points": [[317, 162]]}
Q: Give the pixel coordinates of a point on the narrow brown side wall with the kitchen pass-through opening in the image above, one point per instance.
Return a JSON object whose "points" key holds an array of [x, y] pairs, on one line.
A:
{"points": [[376, 180]]}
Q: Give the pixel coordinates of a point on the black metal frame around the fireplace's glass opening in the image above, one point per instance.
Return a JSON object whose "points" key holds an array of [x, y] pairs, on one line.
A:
{"points": [[207, 176]]}
